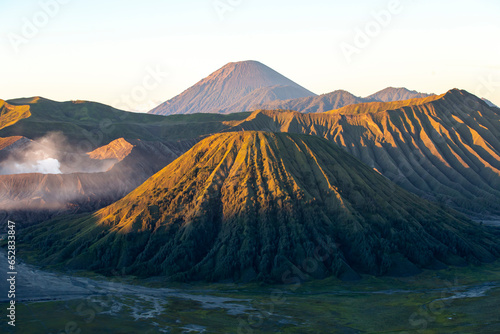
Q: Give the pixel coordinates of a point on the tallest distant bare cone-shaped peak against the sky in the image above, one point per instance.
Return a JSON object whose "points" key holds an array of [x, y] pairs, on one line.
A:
{"points": [[233, 88]]}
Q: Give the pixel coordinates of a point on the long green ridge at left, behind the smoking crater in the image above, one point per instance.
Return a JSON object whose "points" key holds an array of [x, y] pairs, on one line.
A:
{"points": [[91, 125]]}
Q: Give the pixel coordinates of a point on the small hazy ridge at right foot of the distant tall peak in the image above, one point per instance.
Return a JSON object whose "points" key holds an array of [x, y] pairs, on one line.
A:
{"points": [[313, 104]]}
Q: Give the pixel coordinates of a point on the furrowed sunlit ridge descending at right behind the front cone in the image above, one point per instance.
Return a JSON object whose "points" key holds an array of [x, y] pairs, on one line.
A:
{"points": [[447, 149]]}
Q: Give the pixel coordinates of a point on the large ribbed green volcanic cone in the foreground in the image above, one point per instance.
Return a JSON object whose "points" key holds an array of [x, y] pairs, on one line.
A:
{"points": [[254, 205]]}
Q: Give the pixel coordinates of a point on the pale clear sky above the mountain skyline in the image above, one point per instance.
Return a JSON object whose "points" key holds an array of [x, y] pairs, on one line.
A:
{"points": [[136, 54]]}
